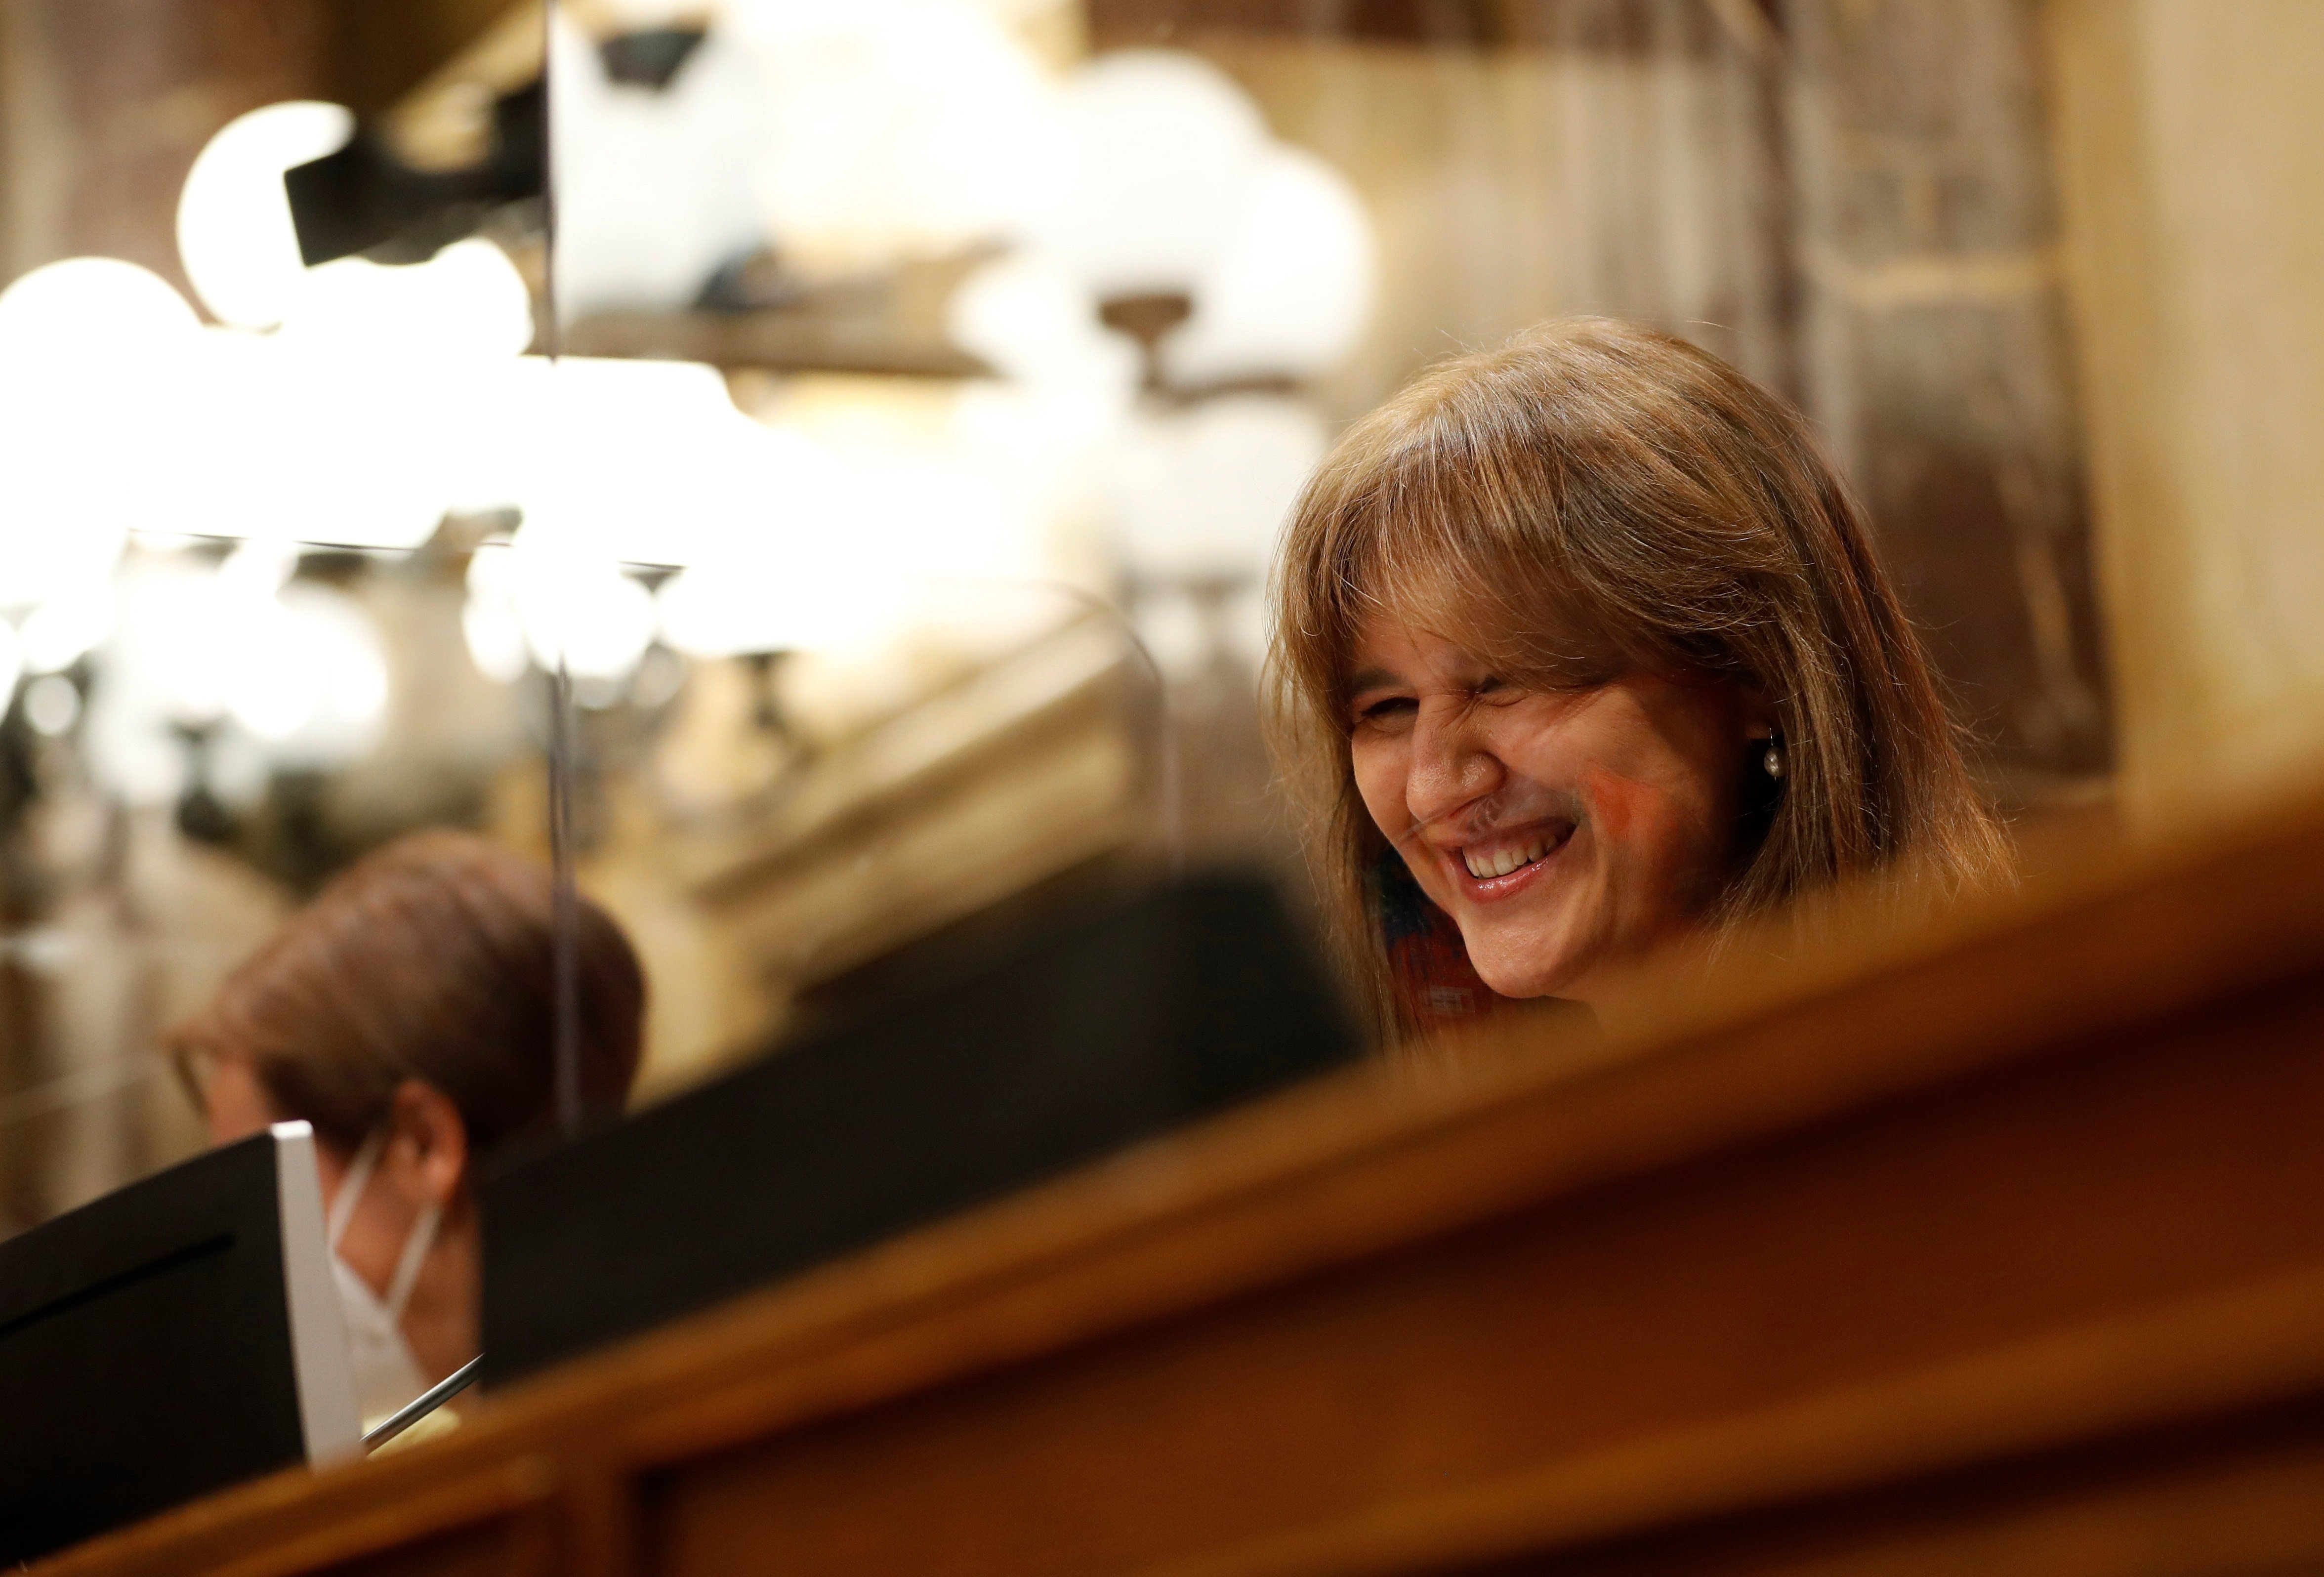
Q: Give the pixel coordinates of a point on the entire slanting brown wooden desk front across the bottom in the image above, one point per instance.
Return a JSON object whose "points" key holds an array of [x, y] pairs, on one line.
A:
{"points": [[1997, 1248]]}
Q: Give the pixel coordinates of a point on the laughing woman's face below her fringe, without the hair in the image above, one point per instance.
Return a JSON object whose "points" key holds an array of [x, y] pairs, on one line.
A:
{"points": [[1563, 830]]}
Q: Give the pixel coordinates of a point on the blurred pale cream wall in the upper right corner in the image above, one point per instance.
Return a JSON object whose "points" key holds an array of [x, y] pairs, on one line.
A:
{"points": [[2190, 150]]}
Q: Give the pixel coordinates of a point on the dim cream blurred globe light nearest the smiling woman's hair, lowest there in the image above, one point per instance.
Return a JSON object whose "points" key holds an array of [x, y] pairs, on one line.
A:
{"points": [[1203, 494]]}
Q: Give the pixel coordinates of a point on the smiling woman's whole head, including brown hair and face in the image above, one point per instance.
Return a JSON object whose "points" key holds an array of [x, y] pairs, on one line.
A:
{"points": [[1544, 626]]}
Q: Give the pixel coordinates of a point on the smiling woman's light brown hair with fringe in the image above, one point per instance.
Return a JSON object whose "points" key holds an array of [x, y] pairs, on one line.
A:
{"points": [[1598, 496]]}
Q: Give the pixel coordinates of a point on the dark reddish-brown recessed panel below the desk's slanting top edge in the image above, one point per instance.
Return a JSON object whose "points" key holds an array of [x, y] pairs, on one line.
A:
{"points": [[2016, 1209]]}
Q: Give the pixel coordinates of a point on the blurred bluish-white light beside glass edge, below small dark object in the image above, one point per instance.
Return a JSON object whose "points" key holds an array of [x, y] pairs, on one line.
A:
{"points": [[652, 185]]}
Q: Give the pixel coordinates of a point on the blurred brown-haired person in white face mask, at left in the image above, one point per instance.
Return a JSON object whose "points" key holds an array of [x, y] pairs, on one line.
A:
{"points": [[408, 1014]]}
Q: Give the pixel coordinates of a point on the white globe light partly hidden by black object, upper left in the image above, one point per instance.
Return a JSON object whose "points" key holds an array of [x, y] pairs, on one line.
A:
{"points": [[234, 217]]}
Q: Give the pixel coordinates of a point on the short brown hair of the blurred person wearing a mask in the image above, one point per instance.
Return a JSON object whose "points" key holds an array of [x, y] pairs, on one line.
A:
{"points": [[431, 958]]}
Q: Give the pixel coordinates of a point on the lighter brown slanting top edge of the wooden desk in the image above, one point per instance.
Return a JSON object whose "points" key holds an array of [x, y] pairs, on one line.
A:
{"points": [[1354, 1167]]}
